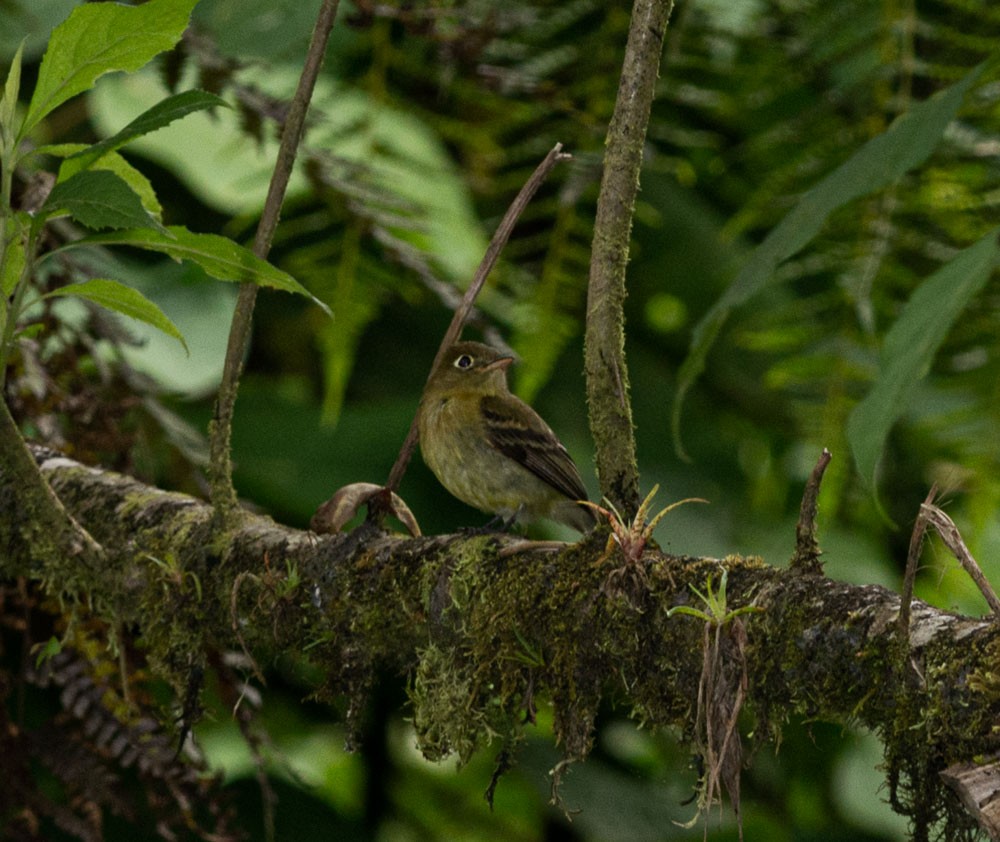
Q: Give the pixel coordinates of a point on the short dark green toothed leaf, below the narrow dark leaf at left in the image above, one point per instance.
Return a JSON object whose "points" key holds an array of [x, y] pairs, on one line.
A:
{"points": [[99, 199]]}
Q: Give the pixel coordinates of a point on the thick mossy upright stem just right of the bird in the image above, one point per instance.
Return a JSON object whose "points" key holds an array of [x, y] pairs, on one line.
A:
{"points": [[610, 409]]}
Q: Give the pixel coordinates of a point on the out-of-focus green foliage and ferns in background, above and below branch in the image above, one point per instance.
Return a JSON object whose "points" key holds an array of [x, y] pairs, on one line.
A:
{"points": [[427, 121]]}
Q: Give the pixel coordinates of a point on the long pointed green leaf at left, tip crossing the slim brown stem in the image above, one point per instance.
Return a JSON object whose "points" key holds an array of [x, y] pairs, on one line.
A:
{"points": [[219, 256]]}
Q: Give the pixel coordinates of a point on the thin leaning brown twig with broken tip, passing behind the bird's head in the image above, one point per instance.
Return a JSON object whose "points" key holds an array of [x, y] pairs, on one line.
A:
{"points": [[489, 260]]}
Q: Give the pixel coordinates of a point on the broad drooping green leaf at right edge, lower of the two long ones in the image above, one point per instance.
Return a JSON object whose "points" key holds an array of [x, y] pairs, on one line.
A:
{"points": [[910, 346]]}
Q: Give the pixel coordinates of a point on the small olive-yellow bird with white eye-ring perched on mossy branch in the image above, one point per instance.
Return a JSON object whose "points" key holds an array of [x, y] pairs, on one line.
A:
{"points": [[490, 449]]}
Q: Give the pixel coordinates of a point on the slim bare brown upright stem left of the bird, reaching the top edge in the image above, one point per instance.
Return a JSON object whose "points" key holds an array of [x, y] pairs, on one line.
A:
{"points": [[221, 466]]}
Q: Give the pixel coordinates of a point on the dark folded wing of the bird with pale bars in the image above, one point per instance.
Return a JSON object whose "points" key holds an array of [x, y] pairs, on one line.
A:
{"points": [[517, 431]]}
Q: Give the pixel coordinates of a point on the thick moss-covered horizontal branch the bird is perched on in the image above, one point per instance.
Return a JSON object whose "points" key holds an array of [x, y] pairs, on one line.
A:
{"points": [[449, 611]]}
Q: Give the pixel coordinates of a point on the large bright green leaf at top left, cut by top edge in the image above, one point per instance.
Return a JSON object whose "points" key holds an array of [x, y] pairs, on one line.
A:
{"points": [[100, 38]]}
